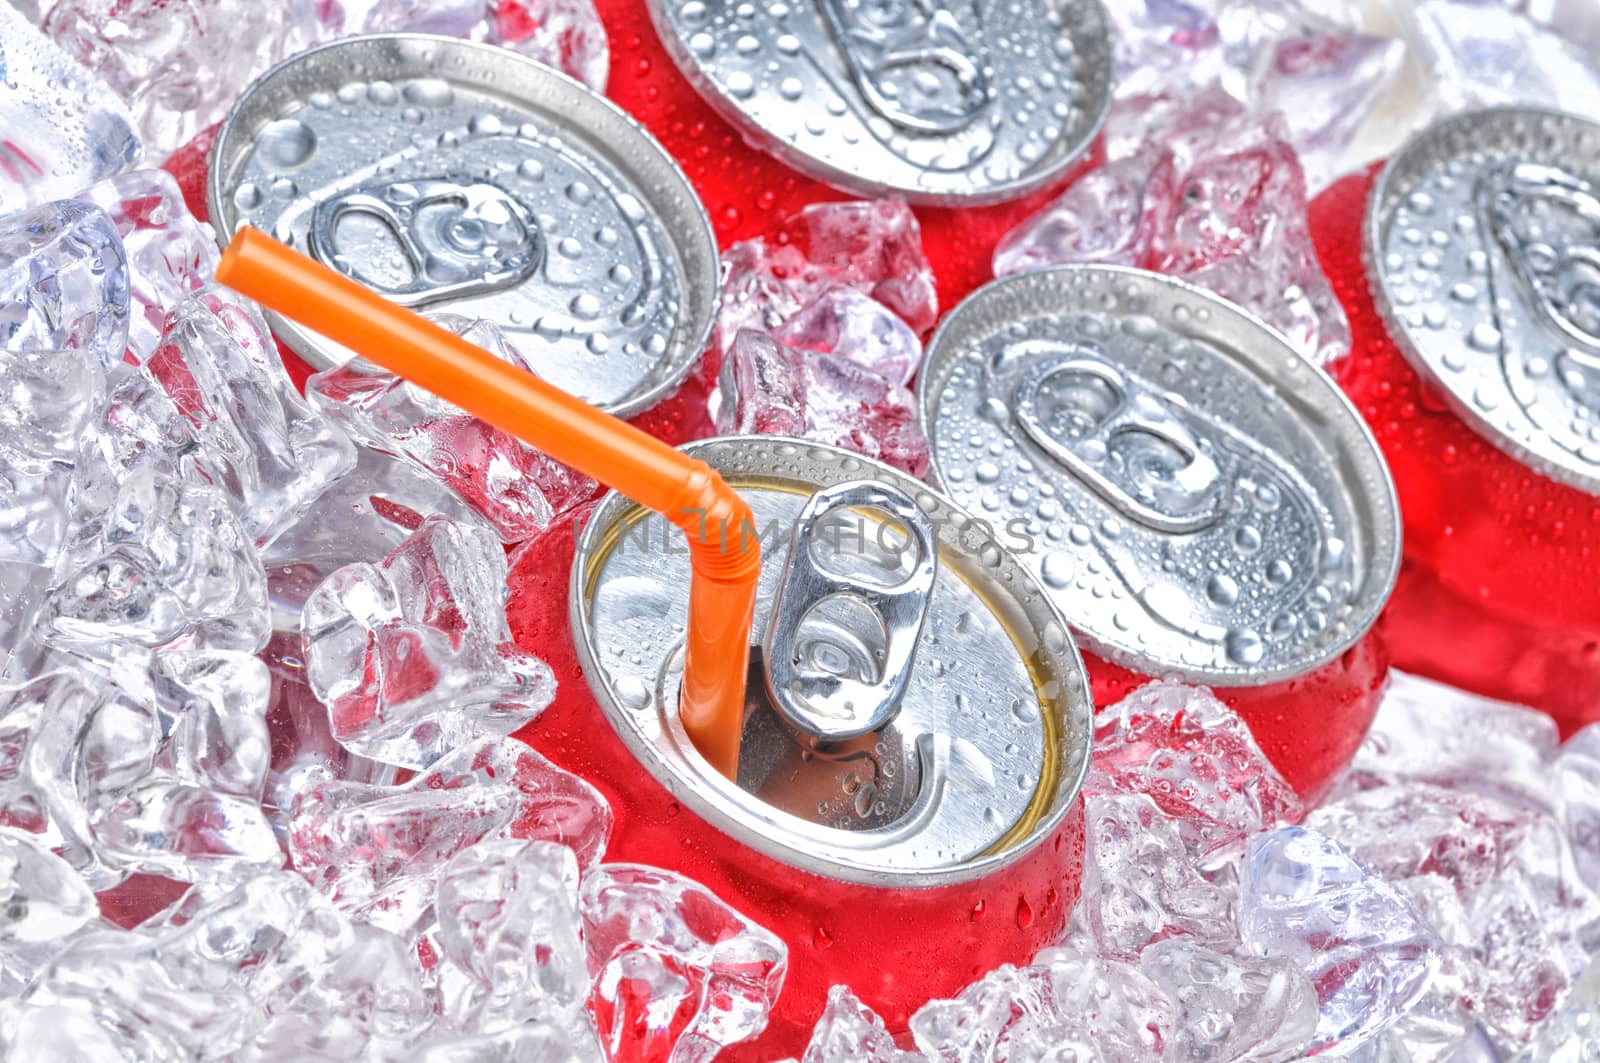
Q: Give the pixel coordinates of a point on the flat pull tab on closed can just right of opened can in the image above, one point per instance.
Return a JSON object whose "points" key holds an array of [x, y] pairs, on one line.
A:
{"points": [[1122, 441]]}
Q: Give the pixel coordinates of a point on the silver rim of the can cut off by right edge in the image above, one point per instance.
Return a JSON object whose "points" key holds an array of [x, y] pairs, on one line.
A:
{"points": [[1420, 151]]}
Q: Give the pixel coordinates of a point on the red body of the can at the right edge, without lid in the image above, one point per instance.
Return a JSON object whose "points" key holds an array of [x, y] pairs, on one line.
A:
{"points": [[1497, 592]]}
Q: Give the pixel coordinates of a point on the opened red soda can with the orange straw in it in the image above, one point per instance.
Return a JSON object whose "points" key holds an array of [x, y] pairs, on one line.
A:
{"points": [[906, 812]]}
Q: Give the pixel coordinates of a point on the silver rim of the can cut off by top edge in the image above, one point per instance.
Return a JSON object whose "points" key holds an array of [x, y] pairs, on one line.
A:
{"points": [[1102, 81]]}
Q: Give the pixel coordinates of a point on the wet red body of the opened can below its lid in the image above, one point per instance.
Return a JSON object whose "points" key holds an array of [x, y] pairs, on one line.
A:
{"points": [[897, 949]]}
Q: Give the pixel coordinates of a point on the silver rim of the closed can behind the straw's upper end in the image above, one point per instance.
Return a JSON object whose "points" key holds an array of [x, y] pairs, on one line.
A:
{"points": [[604, 129]]}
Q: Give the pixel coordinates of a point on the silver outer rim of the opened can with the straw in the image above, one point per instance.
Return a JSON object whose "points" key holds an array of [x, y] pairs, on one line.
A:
{"points": [[724, 806]]}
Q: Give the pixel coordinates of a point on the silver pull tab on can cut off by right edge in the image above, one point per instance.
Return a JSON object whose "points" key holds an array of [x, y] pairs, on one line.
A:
{"points": [[1550, 225]]}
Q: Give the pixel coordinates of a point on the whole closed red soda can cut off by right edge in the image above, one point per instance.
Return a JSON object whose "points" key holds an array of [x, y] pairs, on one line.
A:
{"points": [[1474, 303]]}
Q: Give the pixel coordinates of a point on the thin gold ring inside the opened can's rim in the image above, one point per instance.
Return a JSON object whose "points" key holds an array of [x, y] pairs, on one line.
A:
{"points": [[1010, 622]]}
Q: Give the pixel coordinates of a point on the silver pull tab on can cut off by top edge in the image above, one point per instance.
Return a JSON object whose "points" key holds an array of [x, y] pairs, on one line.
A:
{"points": [[911, 62]]}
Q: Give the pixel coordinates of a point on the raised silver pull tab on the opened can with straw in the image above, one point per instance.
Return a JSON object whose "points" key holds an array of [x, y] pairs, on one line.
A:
{"points": [[850, 611]]}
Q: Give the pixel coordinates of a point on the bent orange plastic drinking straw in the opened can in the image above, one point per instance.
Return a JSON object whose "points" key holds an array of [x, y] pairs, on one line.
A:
{"points": [[690, 494]]}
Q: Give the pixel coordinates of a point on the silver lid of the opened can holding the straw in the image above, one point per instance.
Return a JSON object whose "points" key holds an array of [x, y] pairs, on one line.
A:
{"points": [[985, 724]]}
